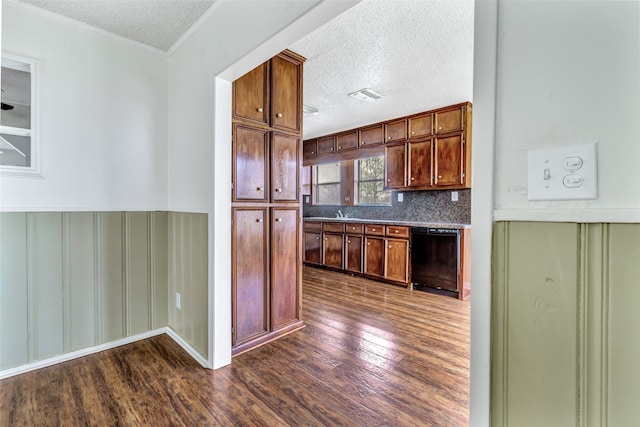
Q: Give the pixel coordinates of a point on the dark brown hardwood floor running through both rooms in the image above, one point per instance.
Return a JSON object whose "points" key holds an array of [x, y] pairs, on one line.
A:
{"points": [[372, 354]]}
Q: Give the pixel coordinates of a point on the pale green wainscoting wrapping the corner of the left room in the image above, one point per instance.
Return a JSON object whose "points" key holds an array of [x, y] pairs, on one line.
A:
{"points": [[73, 280]]}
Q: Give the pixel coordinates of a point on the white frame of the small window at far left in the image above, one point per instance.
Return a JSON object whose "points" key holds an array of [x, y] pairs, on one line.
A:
{"points": [[36, 167]]}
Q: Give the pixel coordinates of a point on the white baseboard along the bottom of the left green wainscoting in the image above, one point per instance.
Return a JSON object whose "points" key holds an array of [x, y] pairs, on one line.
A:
{"points": [[102, 347]]}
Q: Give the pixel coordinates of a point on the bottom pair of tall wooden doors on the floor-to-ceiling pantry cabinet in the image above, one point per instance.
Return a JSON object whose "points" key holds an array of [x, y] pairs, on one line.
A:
{"points": [[266, 278]]}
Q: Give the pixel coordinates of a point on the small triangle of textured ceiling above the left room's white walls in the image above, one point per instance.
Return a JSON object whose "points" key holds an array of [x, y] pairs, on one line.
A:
{"points": [[157, 23]]}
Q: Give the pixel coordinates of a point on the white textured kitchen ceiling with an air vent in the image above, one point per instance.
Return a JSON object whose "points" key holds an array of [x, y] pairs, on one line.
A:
{"points": [[418, 54]]}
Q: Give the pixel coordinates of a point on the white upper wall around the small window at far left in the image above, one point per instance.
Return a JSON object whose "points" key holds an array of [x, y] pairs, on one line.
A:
{"points": [[104, 120]]}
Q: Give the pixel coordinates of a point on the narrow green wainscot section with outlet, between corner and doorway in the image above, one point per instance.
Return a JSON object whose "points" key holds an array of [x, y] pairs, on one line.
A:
{"points": [[188, 240]]}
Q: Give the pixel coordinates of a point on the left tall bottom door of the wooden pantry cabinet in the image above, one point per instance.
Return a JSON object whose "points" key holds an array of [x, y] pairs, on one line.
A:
{"points": [[250, 286]]}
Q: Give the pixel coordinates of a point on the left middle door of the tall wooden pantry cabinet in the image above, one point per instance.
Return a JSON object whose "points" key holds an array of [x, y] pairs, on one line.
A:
{"points": [[250, 148]]}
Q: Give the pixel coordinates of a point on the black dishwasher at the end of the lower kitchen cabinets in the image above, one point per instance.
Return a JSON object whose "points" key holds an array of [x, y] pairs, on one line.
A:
{"points": [[435, 254]]}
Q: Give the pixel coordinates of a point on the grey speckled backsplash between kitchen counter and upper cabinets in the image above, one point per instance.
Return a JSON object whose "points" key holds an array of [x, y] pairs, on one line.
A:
{"points": [[426, 206]]}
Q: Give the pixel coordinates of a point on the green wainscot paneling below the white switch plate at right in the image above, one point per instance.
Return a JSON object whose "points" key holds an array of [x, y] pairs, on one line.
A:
{"points": [[565, 324]]}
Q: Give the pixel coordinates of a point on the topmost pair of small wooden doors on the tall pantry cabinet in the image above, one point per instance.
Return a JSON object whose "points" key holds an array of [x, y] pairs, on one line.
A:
{"points": [[271, 94]]}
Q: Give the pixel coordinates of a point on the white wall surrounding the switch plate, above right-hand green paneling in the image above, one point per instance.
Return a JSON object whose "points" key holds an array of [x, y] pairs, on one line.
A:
{"points": [[568, 74]]}
